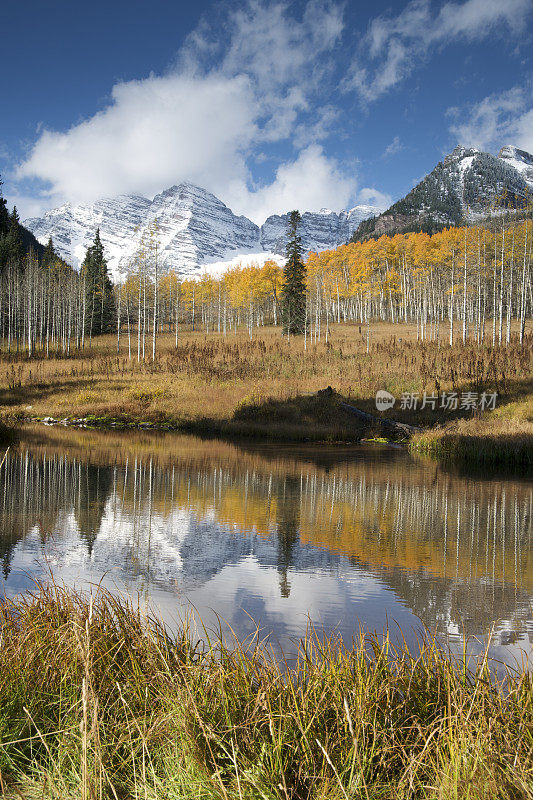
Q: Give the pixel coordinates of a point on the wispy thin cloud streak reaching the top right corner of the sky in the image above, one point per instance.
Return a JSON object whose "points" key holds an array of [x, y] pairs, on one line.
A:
{"points": [[393, 46]]}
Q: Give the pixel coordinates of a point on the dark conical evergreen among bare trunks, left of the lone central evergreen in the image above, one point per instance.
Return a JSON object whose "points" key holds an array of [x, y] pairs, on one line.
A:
{"points": [[100, 302]]}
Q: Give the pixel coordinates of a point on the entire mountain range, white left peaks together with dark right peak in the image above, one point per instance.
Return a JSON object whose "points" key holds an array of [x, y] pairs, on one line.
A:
{"points": [[197, 231]]}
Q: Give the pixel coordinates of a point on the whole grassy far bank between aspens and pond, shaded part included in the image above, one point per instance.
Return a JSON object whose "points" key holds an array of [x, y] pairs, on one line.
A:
{"points": [[263, 389]]}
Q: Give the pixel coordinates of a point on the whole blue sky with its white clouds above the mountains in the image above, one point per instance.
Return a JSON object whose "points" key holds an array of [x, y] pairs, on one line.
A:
{"points": [[270, 105]]}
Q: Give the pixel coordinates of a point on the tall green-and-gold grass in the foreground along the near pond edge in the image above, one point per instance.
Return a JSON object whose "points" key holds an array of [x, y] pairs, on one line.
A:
{"points": [[98, 701]]}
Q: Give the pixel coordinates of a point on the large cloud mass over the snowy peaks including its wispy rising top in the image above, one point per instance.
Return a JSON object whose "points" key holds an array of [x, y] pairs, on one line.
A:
{"points": [[226, 99]]}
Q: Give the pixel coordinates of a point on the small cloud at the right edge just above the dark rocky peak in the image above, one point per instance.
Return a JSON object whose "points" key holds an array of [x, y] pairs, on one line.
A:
{"points": [[498, 119]]}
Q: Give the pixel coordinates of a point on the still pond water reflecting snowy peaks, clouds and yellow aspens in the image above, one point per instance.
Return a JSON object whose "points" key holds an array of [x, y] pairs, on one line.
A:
{"points": [[273, 536]]}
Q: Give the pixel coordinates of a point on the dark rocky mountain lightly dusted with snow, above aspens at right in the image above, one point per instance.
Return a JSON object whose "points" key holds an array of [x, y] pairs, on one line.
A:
{"points": [[466, 185]]}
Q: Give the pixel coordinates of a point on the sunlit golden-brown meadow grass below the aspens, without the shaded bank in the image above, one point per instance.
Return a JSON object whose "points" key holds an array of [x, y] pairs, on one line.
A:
{"points": [[209, 379]]}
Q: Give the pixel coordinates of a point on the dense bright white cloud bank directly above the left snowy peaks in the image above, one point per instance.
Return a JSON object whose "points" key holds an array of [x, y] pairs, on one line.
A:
{"points": [[153, 133]]}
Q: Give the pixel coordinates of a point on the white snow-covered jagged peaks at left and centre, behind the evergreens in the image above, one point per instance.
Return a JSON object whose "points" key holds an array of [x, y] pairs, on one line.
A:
{"points": [[194, 229]]}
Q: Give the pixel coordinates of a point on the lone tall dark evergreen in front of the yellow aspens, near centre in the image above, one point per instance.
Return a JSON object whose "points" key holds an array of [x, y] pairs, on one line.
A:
{"points": [[293, 300]]}
